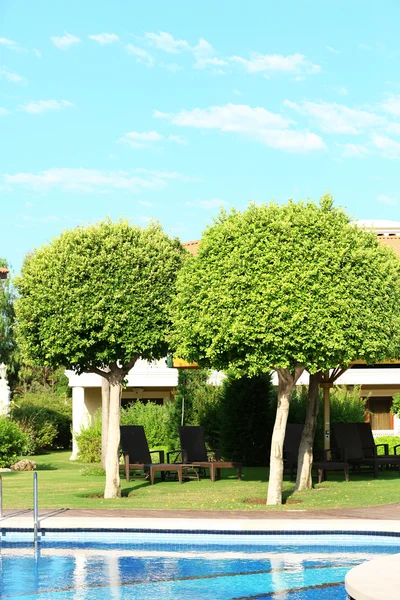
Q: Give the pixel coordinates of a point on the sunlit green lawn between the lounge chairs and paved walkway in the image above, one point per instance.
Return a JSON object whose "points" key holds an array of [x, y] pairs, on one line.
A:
{"points": [[62, 485]]}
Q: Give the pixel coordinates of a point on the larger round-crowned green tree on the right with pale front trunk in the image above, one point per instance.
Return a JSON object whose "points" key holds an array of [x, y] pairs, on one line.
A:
{"points": [[287, 287]]}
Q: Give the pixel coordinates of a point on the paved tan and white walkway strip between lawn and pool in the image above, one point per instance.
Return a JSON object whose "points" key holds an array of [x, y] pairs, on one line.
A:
{"points": [[378, 518]]}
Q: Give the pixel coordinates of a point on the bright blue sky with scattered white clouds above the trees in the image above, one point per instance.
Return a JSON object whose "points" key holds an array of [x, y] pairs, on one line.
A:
{"points": [[169, 110]]}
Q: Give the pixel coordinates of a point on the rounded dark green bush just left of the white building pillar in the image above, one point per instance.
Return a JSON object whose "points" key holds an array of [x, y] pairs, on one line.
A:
{"points": [[46, 417]]}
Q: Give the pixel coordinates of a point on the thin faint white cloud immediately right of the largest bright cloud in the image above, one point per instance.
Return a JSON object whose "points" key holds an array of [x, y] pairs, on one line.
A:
{"points": [[337, 118]]}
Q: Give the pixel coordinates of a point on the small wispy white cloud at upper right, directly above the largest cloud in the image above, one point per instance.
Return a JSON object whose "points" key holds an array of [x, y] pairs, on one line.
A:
{"points": [[277, 63]]}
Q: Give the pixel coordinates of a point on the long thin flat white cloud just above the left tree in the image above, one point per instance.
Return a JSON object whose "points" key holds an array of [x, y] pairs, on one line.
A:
{"points": [[92, 180]]}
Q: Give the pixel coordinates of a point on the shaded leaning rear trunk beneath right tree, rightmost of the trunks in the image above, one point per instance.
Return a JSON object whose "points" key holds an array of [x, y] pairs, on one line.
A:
{"points": [[304, 466]]}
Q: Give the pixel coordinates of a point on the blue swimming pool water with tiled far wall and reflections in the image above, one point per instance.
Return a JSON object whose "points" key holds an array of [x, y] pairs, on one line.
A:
{"points": [[184, 566]]}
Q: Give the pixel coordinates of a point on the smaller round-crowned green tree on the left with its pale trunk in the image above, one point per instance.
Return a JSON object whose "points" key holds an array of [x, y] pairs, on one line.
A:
{"points": [[95, 300]]}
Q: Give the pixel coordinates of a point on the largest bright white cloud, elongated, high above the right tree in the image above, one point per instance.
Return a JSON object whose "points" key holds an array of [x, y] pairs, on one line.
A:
{"points": [[255, 123]]}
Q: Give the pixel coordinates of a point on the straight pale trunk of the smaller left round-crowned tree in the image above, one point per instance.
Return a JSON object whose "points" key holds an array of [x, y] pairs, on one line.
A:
{"points": [[113, 488]]}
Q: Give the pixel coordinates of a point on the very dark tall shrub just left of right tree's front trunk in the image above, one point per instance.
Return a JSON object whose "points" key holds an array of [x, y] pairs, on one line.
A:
{"points": [[245, 419]]}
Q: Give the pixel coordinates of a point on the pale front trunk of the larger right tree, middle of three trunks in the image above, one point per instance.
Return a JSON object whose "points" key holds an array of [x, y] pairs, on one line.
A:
{"points": [[287, 381]]}
